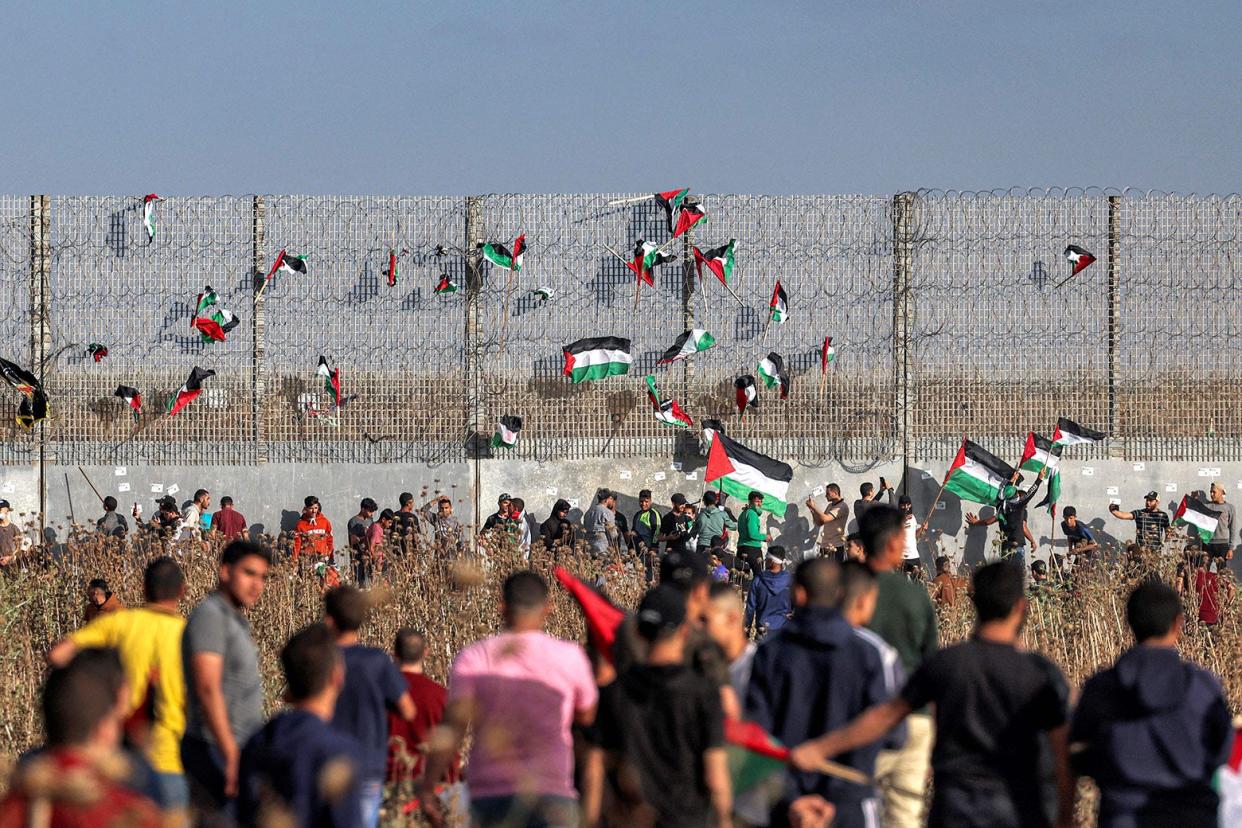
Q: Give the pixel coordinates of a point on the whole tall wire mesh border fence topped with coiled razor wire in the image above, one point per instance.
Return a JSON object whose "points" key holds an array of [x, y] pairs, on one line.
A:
{"points": [[951, 313]]}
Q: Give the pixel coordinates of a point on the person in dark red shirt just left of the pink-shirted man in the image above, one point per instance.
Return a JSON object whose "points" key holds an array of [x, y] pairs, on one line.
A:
{"points": [[408, 738]]}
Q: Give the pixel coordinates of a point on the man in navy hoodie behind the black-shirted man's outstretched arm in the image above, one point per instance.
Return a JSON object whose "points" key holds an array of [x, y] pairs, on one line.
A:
{"points": [[814, 676]]}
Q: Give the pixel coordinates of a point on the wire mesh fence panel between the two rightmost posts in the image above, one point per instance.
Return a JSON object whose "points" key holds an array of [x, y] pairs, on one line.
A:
{"points": [[1000, 343]]}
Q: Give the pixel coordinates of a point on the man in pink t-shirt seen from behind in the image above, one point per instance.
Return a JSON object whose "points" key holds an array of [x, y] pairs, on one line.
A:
{"points": [[521, 692]]}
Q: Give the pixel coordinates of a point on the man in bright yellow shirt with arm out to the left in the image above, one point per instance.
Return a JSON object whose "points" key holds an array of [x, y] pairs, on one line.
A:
{"points": [[150, 642]]}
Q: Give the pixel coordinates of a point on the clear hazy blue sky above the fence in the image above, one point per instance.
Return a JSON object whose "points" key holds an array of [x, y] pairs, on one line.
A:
{"points": [[387, 97]]}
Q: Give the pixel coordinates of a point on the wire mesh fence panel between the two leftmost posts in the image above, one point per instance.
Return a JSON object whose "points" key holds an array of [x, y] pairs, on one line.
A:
{"points": [[111, 285]]}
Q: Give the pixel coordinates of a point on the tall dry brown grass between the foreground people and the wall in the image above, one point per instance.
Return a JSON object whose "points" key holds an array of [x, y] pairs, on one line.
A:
{"points": [[1081, 625]]}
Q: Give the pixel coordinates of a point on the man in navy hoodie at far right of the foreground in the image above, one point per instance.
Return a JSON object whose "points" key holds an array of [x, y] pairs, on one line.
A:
{"points": [[1153, 729]]}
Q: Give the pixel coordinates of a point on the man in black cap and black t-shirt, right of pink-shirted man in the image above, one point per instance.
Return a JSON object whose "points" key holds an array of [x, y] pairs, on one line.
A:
{"points": [[663, 728]]}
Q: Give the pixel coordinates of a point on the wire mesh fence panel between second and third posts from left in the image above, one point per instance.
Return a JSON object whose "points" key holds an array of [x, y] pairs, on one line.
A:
{"points": [[399, 347]]}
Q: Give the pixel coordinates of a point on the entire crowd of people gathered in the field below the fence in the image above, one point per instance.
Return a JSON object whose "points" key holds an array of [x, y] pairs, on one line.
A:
{"points": [[835, 655]]}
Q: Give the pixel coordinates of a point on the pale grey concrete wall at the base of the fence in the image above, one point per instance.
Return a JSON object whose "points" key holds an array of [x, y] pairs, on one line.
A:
{"points": [[271, 495]]}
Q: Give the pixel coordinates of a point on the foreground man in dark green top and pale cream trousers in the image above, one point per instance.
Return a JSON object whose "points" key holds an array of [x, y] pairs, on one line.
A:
{"points": [[906, 620]]}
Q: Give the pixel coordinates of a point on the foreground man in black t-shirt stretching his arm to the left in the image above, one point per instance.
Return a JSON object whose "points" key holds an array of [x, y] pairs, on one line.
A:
{"points": [[993, 706]]}
